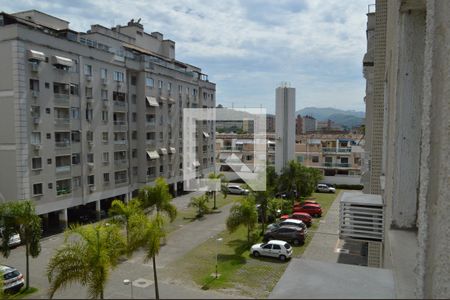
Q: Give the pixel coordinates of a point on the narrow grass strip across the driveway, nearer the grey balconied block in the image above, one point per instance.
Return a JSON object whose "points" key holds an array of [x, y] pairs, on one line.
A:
{"points": [[187, 215]]}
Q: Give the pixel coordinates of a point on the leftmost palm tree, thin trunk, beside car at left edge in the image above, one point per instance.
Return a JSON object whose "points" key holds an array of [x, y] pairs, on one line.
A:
{"points": [[20, 217]]}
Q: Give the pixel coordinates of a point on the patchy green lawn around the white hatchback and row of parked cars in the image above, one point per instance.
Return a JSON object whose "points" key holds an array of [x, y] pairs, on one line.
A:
{"points": [[240, 272]]}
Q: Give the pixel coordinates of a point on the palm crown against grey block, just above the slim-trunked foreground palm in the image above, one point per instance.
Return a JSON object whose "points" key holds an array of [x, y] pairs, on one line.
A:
{"points": [[159, 198]]}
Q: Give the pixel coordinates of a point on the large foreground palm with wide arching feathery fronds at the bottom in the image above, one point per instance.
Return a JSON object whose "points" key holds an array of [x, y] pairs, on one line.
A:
{"points": [[88, 255]]}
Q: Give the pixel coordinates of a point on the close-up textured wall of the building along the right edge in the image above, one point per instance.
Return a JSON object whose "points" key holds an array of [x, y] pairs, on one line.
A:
{"points": [[409, 142]]}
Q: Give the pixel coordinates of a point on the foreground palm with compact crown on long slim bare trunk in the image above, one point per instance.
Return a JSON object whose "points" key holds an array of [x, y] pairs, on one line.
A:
{"points": [[147, 234]]}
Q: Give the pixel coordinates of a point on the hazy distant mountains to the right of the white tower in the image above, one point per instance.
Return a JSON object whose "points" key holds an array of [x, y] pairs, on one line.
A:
{"points": [[346, 118]]}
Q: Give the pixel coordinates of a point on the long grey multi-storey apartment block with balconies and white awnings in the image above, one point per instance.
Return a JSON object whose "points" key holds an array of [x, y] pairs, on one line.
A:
{"points": [[90, 117]]}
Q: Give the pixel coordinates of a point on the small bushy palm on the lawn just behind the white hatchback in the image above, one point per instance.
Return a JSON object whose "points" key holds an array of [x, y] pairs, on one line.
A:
{"points": [[243, 213]]}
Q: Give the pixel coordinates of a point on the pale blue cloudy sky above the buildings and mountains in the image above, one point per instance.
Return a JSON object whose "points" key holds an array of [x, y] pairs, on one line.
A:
{"points": [[248, 47]]}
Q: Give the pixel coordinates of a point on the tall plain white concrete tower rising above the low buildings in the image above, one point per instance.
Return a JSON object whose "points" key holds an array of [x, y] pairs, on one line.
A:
{"points": [[285, 126]]}
